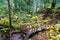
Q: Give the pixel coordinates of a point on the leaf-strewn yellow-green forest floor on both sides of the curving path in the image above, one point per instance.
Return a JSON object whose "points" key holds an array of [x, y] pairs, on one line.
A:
{"points": [[19, 21]]}
